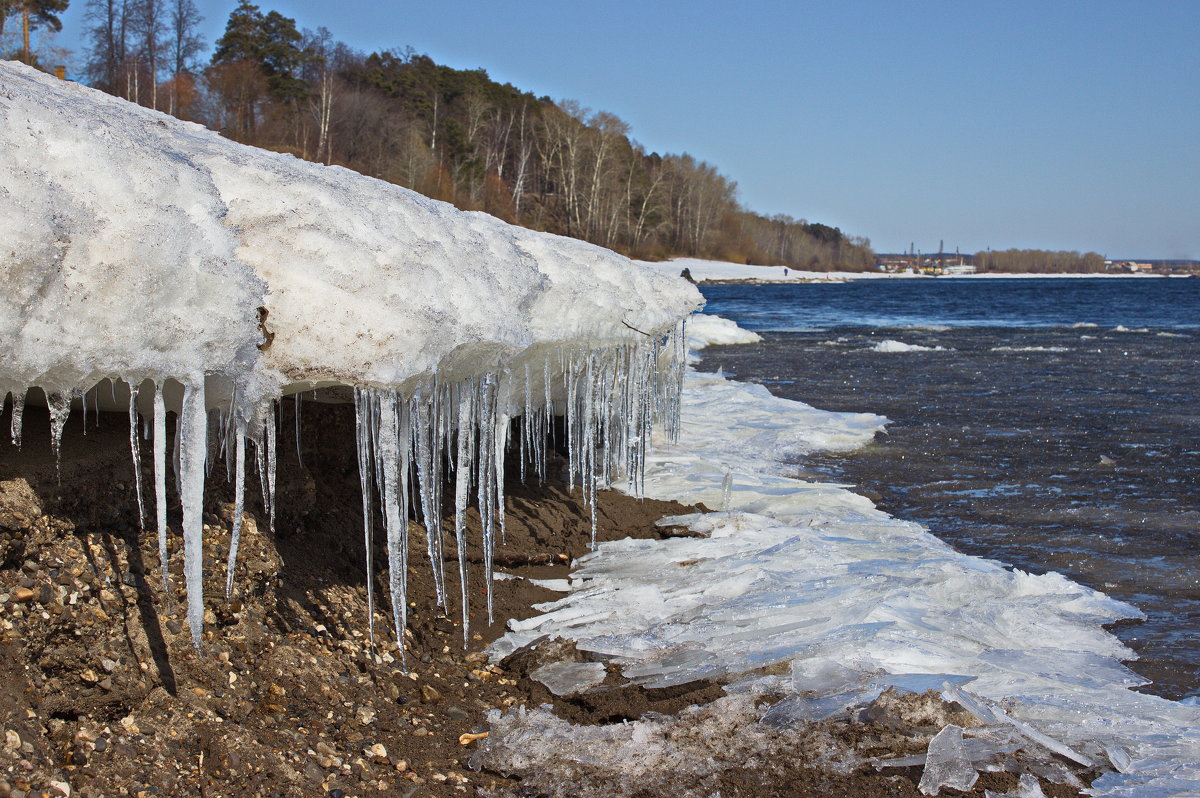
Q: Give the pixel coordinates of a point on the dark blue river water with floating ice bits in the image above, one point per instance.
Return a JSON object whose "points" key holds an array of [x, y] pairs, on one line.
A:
{"points": [[1028, 439]]}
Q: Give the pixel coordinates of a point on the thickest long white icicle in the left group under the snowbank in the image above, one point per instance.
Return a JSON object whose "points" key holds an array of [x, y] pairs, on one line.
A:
{"points": [[193, 435]]}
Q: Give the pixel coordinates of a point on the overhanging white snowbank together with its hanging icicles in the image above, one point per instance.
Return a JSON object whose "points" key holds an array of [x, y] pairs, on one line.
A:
{"points": [[195, 274]]}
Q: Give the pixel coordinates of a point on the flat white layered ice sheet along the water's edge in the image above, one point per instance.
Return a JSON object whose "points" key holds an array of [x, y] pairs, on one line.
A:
{"points": [[814, 575]]}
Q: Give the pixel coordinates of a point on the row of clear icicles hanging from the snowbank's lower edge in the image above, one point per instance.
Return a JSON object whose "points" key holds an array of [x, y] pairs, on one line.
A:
{"points": [[411, 446]]}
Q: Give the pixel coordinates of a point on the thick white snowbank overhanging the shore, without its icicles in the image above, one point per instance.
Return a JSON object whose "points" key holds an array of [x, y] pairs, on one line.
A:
{"points": [[141, 245]]}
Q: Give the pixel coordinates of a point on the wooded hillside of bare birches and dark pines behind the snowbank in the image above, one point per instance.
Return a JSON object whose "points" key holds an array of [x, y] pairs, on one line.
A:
{"points": [[453, 135]]}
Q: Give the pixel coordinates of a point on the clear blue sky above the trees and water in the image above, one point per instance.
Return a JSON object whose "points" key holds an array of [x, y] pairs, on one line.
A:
{"points": [[992, 123]]}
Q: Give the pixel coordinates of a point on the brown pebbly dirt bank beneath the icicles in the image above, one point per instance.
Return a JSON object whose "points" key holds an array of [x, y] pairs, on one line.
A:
{"points": [[103, 693]]}
